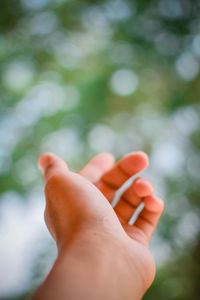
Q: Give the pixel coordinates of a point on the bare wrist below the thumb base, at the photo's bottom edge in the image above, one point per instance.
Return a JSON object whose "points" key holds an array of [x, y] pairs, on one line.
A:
{"points": [[93, 266]]}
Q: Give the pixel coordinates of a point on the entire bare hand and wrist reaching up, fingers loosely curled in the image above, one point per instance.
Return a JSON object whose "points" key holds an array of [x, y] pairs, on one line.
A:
{"points": [[100, 256]]}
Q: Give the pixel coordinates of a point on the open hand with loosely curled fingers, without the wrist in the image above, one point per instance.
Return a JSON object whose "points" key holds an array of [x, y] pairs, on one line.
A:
{"points": [[79, 216]]}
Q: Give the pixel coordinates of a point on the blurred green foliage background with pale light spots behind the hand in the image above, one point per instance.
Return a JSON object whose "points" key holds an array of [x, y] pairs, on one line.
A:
{"points": [[81, 77]]}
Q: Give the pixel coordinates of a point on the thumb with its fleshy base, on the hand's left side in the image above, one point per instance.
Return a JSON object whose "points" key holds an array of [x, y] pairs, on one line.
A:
{"points": [[72, 199]]}
